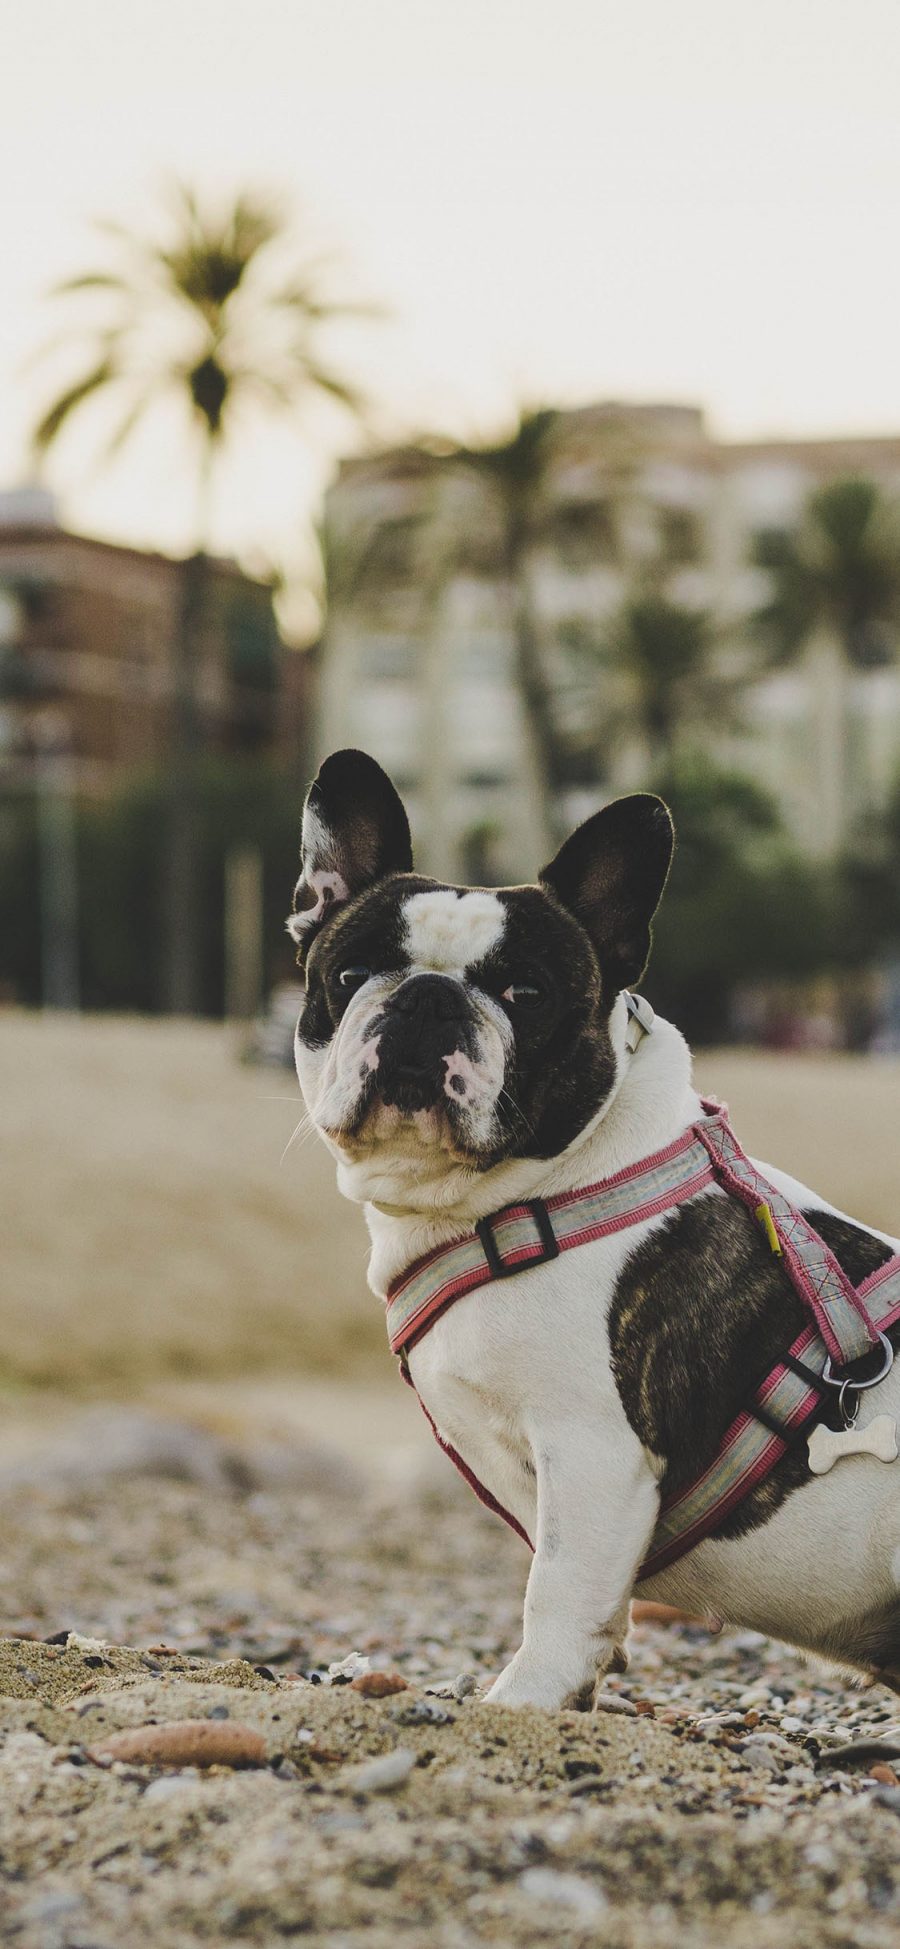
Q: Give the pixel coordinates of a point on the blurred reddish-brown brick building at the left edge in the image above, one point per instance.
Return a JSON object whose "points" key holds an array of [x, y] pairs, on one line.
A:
{"points": [[87, 654]]}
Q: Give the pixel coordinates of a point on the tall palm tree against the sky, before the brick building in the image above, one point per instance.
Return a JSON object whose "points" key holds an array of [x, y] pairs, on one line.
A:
{"points": [[213, 315]]}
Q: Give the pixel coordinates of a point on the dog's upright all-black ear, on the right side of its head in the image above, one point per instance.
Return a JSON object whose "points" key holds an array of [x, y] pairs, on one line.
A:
{"points": [[611, 876]]}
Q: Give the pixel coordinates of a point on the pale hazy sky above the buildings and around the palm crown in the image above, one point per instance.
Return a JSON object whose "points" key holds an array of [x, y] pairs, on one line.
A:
{"points": [[552, 200]]}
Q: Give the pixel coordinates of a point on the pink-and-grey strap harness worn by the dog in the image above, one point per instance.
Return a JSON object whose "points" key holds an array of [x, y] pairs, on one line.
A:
{"points": [[844, 1322]]}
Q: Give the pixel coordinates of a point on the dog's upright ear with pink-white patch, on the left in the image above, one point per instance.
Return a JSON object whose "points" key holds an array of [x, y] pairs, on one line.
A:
{"points": [[356, 831]]}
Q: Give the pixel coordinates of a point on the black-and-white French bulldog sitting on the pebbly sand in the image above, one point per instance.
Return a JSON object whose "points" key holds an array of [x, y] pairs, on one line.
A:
{"points": [[463, 1051]]}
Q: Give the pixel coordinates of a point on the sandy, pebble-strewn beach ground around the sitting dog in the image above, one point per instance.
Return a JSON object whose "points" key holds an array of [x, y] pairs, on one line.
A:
{"points": [[223, 1508]]}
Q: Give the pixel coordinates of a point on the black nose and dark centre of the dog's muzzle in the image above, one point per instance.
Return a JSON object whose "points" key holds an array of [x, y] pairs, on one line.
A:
{"points": [[424, 1024]]}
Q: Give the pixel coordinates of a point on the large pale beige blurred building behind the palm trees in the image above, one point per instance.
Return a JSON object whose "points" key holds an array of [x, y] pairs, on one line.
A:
{"points": [[435, 601]]}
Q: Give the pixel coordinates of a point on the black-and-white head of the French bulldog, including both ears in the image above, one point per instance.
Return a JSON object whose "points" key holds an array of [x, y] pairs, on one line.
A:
{"points": [[459, 1024]]}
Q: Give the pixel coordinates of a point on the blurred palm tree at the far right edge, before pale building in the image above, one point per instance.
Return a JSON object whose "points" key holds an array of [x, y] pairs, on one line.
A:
{"points": [[837, 592]]}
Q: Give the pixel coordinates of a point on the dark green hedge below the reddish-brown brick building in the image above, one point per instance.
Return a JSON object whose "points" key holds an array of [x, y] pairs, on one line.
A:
{"points": [[122, 860]]}
